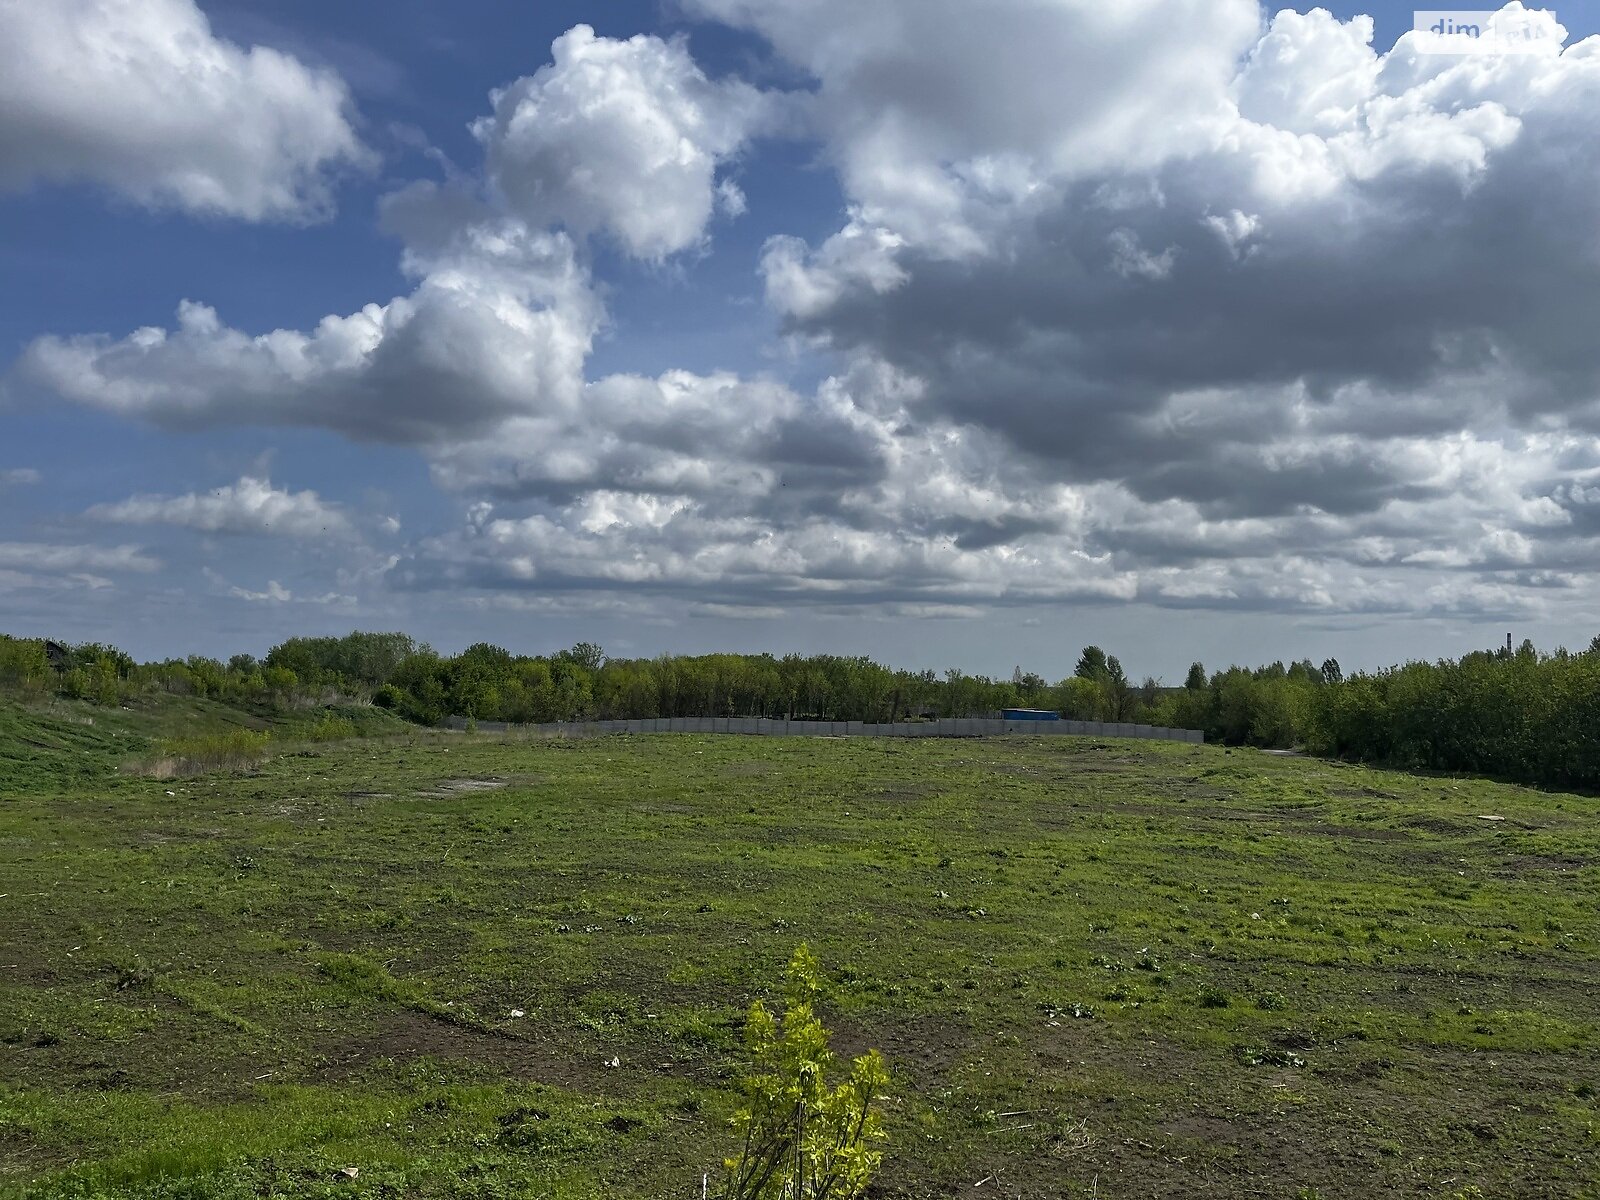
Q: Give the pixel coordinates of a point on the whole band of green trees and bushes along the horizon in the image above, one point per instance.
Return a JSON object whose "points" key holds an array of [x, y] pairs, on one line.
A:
{"points": [[1513, 714]]}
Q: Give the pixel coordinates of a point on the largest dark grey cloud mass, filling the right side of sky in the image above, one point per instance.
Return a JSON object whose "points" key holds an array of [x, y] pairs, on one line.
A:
{"points": [[1404, 263]]}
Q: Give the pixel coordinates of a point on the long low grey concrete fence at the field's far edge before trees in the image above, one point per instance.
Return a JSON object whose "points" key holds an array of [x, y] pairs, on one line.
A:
{"points": [[959, 727]]}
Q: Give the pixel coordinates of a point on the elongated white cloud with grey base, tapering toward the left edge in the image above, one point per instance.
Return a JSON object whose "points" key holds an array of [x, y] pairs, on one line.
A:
{"points": [[502, 322]]}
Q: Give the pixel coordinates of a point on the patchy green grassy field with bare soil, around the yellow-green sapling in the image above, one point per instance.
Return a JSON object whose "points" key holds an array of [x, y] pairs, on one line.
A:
{"points": [[1098, 969]]}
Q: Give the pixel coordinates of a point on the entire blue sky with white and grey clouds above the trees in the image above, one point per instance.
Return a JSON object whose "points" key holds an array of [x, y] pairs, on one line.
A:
{"points": [[953, 334]]}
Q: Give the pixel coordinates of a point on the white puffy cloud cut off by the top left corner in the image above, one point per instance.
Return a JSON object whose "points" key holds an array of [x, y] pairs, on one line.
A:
{"points": [[142, 98]]}
